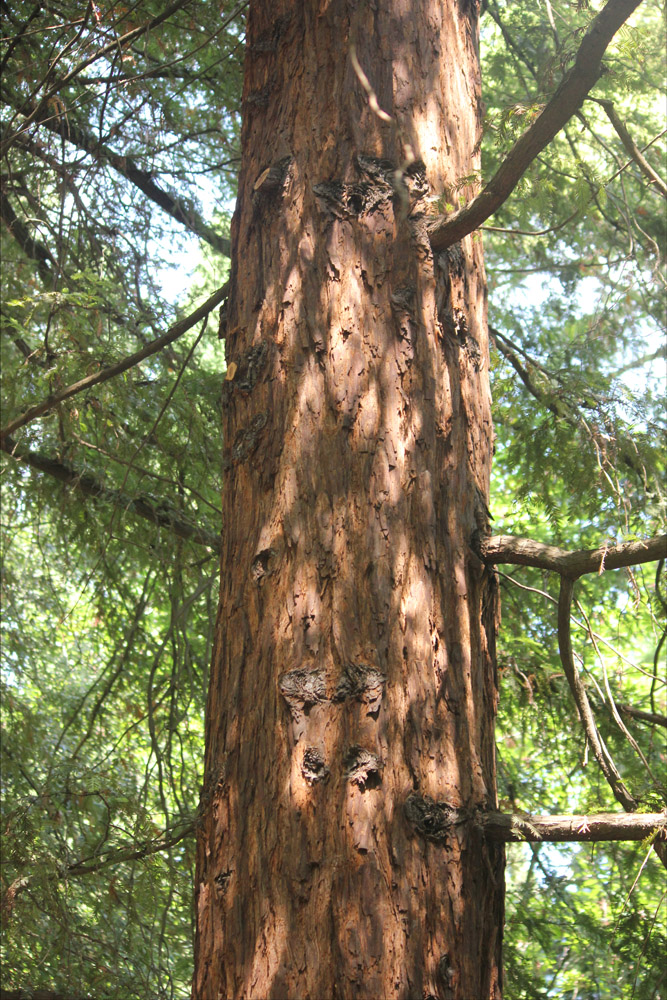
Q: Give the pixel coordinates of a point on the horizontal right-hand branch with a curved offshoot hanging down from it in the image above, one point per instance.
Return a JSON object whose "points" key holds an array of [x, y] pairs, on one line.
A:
{"points": [[570, 564]]}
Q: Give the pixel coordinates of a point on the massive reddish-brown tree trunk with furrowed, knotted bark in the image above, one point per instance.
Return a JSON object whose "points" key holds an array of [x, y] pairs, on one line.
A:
{"points": [[353, 694]]}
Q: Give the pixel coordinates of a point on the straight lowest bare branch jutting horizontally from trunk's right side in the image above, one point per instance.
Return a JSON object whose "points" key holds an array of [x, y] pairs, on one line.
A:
{"points": [[508, 827]]}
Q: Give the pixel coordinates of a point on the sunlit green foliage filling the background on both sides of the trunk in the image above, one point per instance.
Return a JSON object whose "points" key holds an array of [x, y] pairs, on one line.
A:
{"points": [[109, 581]]}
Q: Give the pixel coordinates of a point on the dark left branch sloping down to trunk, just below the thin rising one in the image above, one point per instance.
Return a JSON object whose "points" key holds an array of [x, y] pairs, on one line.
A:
{"points": [[155, 512]]}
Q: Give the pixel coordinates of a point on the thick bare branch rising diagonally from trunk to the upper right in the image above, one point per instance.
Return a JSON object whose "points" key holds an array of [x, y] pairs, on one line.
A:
{"points": [[568, 98]]}
